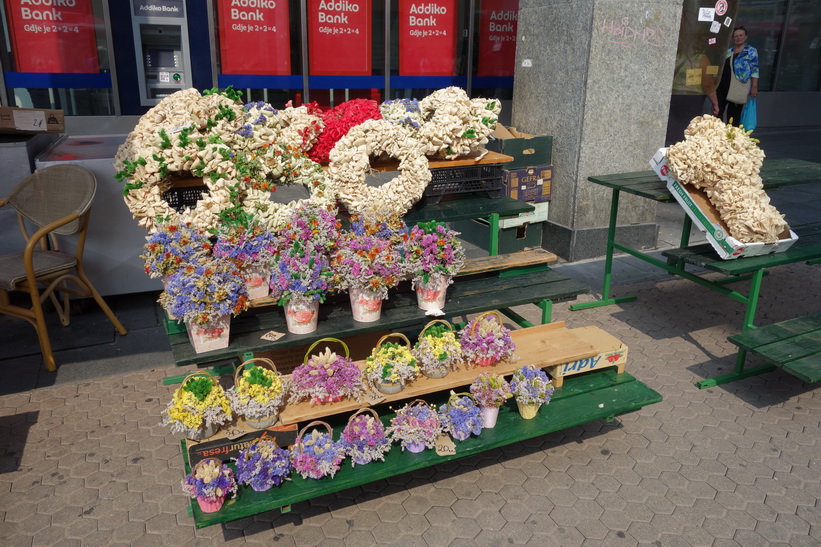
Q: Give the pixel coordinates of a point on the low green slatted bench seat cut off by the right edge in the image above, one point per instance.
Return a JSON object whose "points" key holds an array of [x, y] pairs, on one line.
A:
{"points": [[793, 345]]}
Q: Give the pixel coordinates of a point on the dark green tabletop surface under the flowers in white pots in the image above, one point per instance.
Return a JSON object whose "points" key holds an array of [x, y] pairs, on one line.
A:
{"points": [[399, 311]]}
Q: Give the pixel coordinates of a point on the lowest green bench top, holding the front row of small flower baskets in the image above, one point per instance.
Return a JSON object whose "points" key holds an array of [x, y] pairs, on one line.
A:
{"points": [[585, 398]]}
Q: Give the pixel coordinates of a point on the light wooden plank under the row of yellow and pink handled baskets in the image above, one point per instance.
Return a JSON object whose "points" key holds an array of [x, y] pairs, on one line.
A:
{"points": [[541, 346]]}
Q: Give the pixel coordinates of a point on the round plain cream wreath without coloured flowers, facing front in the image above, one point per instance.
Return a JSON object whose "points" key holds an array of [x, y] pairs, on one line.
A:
{"points": [[350, 164]]}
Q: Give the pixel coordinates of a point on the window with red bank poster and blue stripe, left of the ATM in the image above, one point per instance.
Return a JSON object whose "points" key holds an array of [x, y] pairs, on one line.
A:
{"points": [[56, 56]]}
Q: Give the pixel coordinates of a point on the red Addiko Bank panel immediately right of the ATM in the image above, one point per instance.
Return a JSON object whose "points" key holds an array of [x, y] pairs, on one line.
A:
{"points": [[254, 37]]}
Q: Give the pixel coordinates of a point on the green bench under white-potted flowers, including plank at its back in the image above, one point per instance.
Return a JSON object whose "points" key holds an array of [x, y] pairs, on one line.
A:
{"points": [[489, 283]]}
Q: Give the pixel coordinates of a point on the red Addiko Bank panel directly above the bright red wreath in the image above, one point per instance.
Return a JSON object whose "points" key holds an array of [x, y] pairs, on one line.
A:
{"points": [[339, 37]]}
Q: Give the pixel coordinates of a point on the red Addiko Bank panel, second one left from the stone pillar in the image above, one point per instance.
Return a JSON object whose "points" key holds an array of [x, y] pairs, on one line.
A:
{"points": [[427, 38]]}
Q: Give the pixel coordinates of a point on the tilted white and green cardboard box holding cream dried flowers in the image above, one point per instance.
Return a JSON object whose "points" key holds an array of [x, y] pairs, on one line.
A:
{"points": [[707, 218]]}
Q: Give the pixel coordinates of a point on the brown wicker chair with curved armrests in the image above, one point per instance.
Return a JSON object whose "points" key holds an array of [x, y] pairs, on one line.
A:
{"points": [[57, 200]]}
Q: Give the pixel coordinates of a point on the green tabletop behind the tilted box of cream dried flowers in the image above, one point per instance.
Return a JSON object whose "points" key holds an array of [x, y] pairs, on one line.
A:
{"points": [[774, 174]]}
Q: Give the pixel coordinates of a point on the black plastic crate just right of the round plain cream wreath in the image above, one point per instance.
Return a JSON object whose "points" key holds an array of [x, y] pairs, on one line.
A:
{"points": [[465, 180]]}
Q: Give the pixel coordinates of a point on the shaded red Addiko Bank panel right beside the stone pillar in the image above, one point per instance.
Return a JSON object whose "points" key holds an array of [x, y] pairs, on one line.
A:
{"points": [[497, 37]]}
